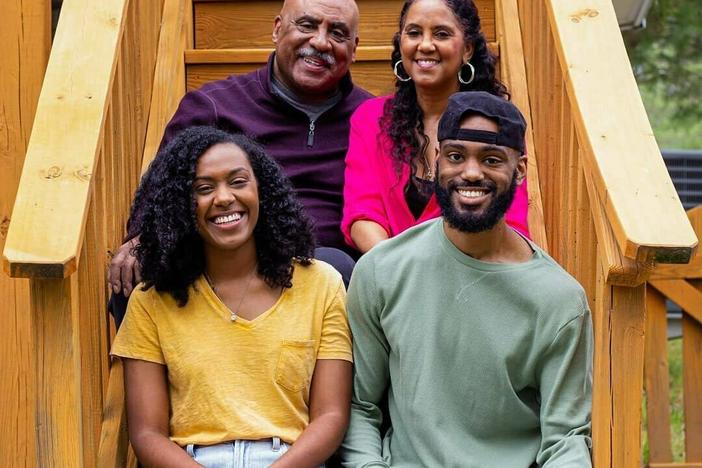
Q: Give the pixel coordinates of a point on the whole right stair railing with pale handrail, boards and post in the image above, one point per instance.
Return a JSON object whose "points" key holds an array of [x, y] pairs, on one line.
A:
{"points": [[610, 208]]}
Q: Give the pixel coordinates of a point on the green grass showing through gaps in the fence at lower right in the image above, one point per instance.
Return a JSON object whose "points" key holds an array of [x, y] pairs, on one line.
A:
{"points": [[676, 404]]}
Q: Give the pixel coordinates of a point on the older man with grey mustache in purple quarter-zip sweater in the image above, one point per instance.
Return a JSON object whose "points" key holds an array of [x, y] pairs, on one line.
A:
{"points": [[298, 106]]}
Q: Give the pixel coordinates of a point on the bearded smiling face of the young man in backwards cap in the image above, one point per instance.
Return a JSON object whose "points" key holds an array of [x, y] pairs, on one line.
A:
{"points": [[476, 181]]}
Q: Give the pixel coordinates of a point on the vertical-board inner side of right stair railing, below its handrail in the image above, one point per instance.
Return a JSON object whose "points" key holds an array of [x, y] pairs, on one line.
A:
{"points": [[572, 240]]}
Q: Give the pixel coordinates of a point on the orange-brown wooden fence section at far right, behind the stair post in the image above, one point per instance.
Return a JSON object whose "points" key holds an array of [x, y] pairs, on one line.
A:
{"points": [[683, 285]]}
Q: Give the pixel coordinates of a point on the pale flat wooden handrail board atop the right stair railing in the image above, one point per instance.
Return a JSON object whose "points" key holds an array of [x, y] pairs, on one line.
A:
{"points": [[620, 152]]}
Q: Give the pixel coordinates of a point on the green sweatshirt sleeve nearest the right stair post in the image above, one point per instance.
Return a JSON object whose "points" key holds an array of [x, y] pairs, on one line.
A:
{"points": [[566, 396]]}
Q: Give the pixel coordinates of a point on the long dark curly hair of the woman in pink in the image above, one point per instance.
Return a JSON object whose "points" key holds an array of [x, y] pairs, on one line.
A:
{"points": [[402, 119]]}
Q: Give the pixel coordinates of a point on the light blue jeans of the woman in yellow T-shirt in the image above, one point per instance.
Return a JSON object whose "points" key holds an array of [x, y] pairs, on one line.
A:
{"points": [[239, 453]]}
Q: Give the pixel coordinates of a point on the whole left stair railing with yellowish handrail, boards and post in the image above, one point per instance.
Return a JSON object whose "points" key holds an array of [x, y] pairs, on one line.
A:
{"points": [[82, 164]]}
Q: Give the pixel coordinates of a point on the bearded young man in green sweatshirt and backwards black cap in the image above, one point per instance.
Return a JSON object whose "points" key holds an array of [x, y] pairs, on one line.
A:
{"points": [[480, 341]]}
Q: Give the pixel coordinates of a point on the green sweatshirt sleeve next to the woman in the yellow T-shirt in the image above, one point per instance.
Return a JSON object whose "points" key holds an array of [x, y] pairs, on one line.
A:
{"points": [[362, 446]]}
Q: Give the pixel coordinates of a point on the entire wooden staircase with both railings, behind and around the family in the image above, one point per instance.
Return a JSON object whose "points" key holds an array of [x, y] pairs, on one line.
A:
{"points": [[601, 201]]}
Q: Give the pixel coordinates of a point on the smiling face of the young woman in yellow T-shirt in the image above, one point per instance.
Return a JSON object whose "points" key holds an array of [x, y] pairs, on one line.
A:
{"points": [[226, 198]]}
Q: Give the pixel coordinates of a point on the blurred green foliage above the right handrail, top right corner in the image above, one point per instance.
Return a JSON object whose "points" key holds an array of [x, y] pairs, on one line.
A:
{"points": [[666, 57]]}
